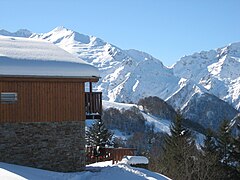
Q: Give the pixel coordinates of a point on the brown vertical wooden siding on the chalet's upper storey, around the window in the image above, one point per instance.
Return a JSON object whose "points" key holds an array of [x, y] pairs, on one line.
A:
{"points": [[43, 100]]}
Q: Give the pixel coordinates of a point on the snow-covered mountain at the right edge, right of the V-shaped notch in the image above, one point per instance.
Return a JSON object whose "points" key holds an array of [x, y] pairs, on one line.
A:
{"points": [[216, 70]]}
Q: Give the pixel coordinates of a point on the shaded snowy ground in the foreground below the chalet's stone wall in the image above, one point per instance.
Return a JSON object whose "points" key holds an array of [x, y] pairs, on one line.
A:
{"points": [[98, 171]]}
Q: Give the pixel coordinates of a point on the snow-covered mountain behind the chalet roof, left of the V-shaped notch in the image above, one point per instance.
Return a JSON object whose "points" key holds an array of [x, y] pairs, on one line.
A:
{"points": [[127, 75]]}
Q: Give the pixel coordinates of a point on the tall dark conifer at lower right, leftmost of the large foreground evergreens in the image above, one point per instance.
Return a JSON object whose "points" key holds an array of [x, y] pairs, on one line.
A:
{"points": [[177, 158]]}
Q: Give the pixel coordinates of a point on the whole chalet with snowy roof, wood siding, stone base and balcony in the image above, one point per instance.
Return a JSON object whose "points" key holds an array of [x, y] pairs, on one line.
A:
{"points": [[43, 105]]}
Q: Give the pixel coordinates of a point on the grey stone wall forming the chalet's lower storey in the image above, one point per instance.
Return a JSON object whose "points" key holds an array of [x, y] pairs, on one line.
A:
{"points": [[56, 146]]}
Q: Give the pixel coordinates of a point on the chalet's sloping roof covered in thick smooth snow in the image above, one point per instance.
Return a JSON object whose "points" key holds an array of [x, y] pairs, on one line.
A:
{"points": [[28, 57]]}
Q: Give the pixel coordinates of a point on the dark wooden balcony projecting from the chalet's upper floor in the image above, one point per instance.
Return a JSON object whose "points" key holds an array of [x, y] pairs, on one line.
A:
{"points": [[93, 105]]}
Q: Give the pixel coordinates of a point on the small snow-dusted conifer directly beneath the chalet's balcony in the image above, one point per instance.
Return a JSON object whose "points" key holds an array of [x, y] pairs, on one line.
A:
{"points": [[98, 135]]}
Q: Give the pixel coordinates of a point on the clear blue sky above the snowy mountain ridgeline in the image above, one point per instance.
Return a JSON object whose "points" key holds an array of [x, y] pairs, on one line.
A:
{"points": [[166, 29]]}
